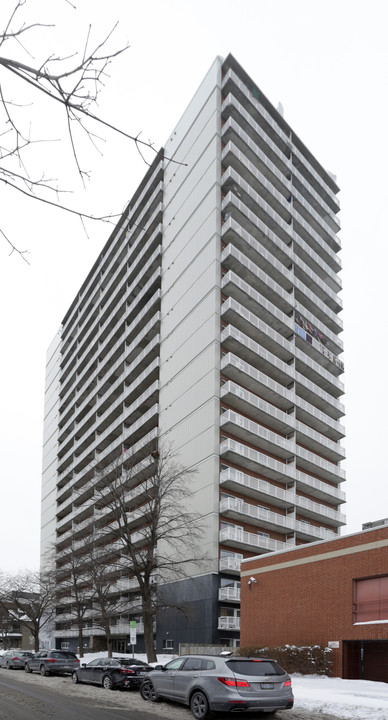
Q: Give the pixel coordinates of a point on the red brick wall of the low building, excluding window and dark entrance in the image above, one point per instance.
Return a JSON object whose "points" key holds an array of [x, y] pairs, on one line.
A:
{"points": [[305, 595]]}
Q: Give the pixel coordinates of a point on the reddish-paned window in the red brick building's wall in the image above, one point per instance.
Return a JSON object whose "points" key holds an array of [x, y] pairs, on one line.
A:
{"points": [[371, 600]]}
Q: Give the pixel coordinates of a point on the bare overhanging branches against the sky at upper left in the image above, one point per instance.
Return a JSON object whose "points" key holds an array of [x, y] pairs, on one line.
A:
{"points": [[73, 83]]}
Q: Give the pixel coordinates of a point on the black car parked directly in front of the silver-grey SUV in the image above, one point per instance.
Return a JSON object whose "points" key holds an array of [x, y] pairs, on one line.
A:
{"points": [[112, 673]]}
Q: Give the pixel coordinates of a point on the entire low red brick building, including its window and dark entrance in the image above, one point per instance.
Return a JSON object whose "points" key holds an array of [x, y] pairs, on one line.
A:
{"points": [[331, 592]]}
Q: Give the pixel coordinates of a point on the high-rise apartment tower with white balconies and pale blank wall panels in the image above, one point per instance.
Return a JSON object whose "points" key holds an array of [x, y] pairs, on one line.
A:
{"points": [[211, 318]]}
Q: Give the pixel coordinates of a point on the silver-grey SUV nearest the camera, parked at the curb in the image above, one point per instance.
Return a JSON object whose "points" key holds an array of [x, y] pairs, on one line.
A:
{"points": [[217, 683]]}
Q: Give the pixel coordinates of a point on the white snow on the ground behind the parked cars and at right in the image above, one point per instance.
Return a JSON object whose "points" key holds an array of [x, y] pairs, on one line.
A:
{"points": [[355, 699]]}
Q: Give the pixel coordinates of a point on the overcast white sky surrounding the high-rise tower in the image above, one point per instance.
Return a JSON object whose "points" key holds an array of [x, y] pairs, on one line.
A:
{"points": [[326, 61]]}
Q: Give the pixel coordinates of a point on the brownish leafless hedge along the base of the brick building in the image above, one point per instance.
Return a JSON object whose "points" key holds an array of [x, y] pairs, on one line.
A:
{"points": [[306, 660]]}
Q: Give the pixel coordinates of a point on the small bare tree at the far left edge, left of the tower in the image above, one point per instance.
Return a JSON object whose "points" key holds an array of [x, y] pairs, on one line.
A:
{"points": [[29, 598]]}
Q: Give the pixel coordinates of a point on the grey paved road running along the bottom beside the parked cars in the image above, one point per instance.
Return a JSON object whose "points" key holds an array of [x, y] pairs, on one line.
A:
{"points": [[32, 697]]}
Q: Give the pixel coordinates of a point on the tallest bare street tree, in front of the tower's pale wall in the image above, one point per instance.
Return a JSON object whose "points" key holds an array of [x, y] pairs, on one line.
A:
{"points": [[148, 516]]}
